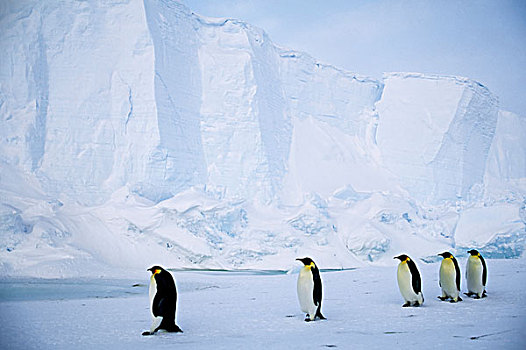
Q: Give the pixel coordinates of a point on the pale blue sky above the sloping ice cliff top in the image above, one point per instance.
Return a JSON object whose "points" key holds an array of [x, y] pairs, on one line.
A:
{"points": [[483, 40]]}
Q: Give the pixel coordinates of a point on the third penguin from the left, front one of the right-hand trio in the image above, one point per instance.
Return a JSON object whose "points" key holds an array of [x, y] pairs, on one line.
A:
{"points": [[409, 281]]}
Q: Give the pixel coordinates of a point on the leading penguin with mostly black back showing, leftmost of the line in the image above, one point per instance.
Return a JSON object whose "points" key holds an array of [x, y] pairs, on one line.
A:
{"points": [[163, 301]]}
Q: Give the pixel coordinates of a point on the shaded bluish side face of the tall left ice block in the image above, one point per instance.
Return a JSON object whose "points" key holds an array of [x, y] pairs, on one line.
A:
{"points": [[178, 100]]}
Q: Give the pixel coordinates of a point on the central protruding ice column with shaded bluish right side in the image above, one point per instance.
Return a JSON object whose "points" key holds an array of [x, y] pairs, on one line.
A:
{"points": [[245, 127]]}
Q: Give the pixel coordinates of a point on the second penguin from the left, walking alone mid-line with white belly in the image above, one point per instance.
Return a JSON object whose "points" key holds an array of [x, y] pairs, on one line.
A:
{"points": [[310, 290]]}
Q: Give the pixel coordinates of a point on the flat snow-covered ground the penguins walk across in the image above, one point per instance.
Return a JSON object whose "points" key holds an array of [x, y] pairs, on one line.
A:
{"points": [[223, 310]]}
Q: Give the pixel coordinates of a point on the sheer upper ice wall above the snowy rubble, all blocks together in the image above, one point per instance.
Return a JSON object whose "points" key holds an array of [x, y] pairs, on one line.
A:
{"points": [[159, 99]]}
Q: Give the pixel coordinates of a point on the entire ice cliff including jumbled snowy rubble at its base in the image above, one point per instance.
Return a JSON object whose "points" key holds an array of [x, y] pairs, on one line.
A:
{"points": [[139, 132]]}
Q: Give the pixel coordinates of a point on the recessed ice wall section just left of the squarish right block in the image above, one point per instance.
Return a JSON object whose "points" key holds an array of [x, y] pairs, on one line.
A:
{"points": [[334, 122]]}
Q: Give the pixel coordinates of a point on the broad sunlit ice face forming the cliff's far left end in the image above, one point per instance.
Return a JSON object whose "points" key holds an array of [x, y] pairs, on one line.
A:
{"points": [[76, 111]]}
